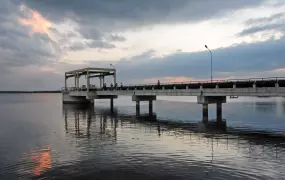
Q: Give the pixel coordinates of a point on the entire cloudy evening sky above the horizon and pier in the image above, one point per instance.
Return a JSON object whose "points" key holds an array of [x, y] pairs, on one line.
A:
{"points": [[146, 40]]}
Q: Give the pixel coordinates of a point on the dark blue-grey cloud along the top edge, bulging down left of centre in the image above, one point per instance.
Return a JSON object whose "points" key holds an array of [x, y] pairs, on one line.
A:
{"points": [[96, 18]]}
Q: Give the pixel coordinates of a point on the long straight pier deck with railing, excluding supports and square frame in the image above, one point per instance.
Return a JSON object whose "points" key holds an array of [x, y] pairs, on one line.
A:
{"points": [[243, 87]]}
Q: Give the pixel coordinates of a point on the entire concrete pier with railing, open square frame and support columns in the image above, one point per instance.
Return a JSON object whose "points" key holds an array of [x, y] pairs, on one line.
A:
{"points": [[207, 92]]}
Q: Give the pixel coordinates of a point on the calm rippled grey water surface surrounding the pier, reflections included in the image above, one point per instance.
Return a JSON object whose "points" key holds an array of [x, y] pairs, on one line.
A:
{"points": [[41, 139]]}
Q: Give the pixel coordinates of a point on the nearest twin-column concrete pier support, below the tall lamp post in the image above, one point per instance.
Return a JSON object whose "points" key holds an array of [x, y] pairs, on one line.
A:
{"points": [[205, 100]]}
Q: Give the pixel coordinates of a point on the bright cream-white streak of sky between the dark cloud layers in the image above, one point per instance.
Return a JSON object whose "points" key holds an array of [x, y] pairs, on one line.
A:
{"points": [[166, 39]]}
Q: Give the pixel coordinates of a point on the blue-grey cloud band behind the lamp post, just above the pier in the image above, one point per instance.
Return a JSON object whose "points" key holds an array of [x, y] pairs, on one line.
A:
{"points": [[246, 58]]}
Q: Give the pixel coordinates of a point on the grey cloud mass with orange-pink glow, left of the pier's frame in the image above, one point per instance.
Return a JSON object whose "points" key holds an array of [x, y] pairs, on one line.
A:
{"points": [[24, 42]]}
